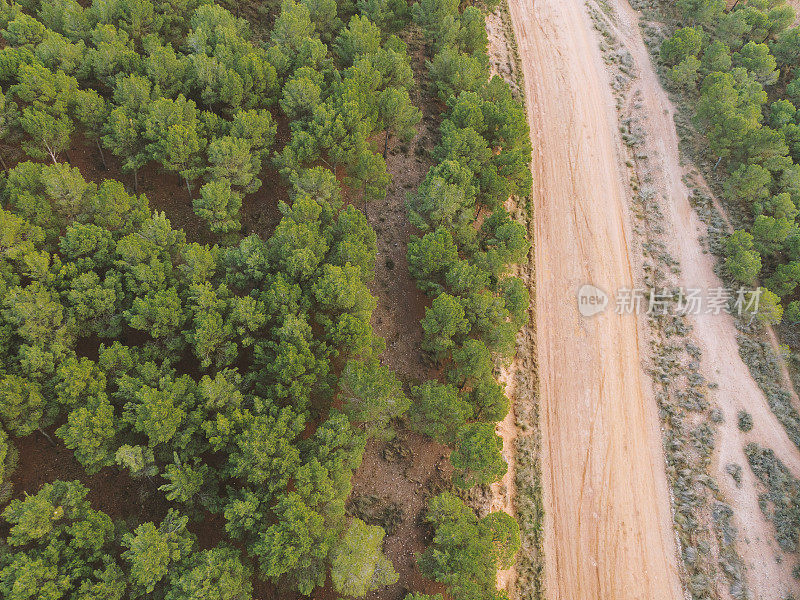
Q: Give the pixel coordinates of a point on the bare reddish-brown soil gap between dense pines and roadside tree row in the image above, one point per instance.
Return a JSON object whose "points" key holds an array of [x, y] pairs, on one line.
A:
{"points": [[401, 474]]}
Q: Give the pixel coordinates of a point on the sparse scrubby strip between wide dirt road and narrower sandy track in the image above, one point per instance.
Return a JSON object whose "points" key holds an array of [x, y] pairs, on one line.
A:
{"points": [[701, 517]]}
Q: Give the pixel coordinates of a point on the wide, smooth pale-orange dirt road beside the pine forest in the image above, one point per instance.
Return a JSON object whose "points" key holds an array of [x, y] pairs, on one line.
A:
{"points": [[608, 529]]}
